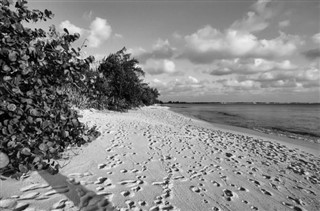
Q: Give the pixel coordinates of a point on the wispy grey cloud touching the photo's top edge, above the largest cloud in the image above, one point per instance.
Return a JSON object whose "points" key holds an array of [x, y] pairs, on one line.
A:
{"points": [[256, 20]]}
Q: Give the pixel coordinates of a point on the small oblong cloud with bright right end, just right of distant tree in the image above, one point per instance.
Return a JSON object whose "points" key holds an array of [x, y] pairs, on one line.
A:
{"points": [[156, 67]]}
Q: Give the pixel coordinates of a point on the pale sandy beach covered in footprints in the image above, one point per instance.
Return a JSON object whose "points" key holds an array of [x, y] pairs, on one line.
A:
{"points": [[154, 159]]}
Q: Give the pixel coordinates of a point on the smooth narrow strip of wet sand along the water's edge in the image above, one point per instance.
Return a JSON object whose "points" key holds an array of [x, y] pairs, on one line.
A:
{"points": [[309, 146]]}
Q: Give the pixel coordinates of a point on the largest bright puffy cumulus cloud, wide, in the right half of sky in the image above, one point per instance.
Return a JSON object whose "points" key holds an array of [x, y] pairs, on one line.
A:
{"points": [[209, 44]]}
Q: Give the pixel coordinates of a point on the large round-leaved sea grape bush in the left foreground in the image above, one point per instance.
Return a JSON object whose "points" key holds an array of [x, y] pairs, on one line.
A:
{"points": [[36, 121]]}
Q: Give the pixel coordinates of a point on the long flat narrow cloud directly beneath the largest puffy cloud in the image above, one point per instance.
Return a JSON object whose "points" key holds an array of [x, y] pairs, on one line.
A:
{"points": [[248, 66]]}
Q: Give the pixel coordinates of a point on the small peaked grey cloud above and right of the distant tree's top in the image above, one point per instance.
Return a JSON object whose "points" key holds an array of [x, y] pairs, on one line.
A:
{"points": [[160, 50]]}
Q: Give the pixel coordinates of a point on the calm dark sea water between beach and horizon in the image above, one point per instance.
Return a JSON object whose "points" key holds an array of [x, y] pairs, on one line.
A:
{"points": [[295, 121]]}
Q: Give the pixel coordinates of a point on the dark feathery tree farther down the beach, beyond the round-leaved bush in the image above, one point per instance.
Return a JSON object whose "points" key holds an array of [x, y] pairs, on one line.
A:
{"points": [[119, 82]]}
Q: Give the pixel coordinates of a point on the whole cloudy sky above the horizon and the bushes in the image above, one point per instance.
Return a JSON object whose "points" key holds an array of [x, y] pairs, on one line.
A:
{"points": [[212, 51]]}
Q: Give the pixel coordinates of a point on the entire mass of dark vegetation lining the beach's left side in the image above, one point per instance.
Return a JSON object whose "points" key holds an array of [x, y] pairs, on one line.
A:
{"points": [[42, 77]]}
